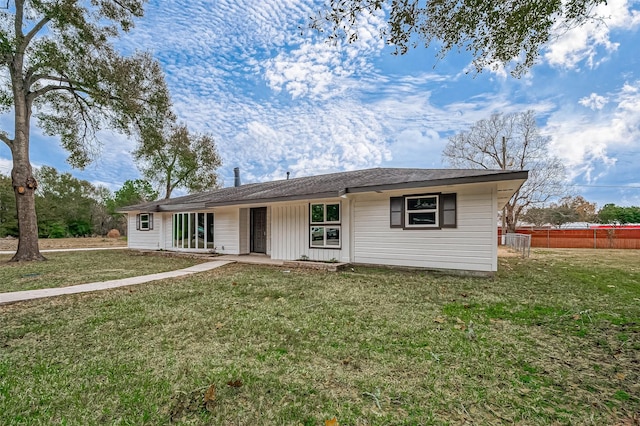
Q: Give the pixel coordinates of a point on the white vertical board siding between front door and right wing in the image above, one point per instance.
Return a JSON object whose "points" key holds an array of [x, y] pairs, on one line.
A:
{"points": [[290, 233]]}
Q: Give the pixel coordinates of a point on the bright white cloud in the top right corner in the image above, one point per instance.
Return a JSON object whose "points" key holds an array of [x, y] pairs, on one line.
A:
{"points": [[583, 42]]}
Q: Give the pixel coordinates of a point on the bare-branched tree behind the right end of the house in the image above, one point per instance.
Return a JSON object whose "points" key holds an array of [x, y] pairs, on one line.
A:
{"points": [[510, 142]]}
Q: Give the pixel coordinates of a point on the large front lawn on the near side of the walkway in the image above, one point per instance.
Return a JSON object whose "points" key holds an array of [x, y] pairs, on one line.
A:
{"points": [[552, 343]]}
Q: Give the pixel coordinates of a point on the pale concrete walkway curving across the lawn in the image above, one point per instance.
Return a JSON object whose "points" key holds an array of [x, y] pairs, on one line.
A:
{"points": [[19, 296]]}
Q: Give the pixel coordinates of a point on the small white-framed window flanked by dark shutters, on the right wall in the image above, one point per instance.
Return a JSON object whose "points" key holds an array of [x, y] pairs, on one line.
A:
{"points": [[429, 211]]}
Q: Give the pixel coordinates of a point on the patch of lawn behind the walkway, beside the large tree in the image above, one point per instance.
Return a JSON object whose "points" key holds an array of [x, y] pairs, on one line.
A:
{"points": [[69, 268]]}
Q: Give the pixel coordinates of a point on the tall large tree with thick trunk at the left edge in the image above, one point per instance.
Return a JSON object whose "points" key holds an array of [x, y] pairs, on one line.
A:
{"points": [[58, 60]]}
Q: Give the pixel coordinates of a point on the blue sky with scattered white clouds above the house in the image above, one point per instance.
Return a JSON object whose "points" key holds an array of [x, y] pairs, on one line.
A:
{"points": [[277, 99]]}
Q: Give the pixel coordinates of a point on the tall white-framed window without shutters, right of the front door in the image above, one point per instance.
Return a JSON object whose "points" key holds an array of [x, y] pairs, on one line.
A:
{"points": [[324, 228]]}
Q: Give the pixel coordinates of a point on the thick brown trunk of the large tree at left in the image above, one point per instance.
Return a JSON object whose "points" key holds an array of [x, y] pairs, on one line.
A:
{"points": [[24, 185]]}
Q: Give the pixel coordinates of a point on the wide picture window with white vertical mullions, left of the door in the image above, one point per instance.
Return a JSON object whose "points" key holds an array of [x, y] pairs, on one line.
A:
{"points": [[193, 231]]}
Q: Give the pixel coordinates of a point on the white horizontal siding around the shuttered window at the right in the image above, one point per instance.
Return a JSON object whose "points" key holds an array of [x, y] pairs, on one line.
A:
{"points": [[470, 246]]}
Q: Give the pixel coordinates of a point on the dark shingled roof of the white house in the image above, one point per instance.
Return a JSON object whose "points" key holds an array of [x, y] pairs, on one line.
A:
{"points": [[329, 185]]}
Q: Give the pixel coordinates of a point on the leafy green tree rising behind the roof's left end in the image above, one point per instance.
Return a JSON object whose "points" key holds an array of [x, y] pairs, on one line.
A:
{"points": [[174, 158]]}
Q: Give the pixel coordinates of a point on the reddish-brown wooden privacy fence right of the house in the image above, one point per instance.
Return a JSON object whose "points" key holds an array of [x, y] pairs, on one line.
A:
{"points": [[582, 238]]}
